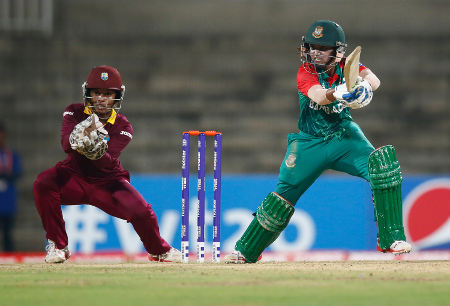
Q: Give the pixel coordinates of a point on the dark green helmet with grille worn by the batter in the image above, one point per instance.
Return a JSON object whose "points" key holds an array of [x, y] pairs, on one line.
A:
{"points": [[324, 33]]}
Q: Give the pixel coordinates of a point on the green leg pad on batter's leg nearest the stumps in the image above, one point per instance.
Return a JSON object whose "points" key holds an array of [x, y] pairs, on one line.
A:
{"points": [[272, 217]]}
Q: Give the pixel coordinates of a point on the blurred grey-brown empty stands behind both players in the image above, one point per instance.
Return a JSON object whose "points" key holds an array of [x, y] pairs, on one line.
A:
{"points": [[220, 65]]}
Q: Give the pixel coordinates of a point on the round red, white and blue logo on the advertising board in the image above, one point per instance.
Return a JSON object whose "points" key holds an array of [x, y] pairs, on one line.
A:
{"points": [[426, 215]]}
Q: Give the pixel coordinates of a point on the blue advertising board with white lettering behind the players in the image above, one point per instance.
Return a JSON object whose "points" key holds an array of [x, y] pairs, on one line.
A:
{"points": [[335, 213]]}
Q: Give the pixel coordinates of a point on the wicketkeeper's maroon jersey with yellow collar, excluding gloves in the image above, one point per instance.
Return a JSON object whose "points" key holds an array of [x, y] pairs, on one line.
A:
{"points": [[108, 166]]}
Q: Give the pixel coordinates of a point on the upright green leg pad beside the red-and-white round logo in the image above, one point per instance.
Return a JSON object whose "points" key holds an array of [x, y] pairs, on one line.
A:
{"points": [[385, 179]]}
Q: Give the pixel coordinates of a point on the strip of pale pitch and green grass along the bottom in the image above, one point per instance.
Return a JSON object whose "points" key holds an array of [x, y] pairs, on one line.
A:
{"points": [[293, 283]]}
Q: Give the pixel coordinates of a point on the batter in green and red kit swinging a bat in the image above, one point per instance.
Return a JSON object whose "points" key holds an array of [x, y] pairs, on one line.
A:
{"points": [[328, 138]]}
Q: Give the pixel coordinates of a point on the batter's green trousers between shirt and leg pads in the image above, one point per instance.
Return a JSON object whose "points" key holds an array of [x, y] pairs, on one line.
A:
{"points": [[308, 156]]}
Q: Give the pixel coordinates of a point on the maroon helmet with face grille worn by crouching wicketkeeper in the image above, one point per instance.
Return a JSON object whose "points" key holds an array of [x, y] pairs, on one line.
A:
{"points": [[104, 77]]}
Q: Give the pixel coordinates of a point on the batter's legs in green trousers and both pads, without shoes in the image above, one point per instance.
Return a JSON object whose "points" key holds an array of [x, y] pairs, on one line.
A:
{"points": [[306, 158]]}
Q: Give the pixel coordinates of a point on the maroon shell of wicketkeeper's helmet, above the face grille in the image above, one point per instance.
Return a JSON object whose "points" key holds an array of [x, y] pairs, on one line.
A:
{"points": [[105, 77]]}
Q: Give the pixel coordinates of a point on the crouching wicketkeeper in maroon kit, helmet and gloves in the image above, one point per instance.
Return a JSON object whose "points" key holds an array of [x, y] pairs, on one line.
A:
{"points": [[93, 135]]}
